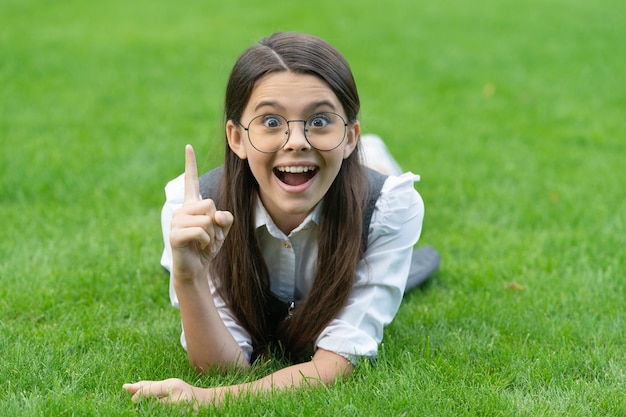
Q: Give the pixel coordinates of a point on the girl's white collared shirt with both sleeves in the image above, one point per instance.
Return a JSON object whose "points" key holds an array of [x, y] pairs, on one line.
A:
{"points": [[380, 278]]}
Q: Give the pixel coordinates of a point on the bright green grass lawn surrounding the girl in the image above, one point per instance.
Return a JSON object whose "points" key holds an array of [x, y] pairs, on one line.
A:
{"points": [[512, 112]]}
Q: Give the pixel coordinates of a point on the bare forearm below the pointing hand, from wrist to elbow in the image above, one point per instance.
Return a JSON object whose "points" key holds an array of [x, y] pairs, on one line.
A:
{"points": [[209, 343]]}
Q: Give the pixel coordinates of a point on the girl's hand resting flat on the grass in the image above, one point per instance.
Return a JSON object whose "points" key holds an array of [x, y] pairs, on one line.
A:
{"points": [[170, 391]]}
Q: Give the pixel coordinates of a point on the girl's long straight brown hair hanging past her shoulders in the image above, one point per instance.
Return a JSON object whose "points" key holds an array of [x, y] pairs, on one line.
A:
{"points": [[239, 270]]}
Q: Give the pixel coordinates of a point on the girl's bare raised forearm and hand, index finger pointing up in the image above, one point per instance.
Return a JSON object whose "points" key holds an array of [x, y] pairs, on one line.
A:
{"points": [[196, 236]]}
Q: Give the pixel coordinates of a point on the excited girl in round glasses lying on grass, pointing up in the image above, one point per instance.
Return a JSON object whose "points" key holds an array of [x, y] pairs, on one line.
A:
{"points": [[275, 258]]}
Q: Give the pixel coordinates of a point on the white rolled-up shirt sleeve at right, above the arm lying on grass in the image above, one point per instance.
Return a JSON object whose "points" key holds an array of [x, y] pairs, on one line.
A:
{"points": [[381, 277]]}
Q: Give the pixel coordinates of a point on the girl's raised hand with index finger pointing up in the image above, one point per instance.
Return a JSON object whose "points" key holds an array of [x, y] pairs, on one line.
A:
{"points": [[198, 228]]}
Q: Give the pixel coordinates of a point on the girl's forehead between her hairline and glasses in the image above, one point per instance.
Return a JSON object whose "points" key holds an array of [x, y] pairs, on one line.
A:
{"points": [[291, 92]]}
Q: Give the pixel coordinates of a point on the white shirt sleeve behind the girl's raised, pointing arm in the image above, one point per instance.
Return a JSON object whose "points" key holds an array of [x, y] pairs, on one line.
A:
{"points": [[174, 196]]}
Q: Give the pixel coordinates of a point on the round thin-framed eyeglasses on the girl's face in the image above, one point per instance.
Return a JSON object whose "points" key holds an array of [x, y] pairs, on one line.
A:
{"points": [[269, 133]]}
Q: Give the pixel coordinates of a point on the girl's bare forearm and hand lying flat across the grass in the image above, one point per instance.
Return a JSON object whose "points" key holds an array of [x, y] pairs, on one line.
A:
{"points": [[325, 368]]}
